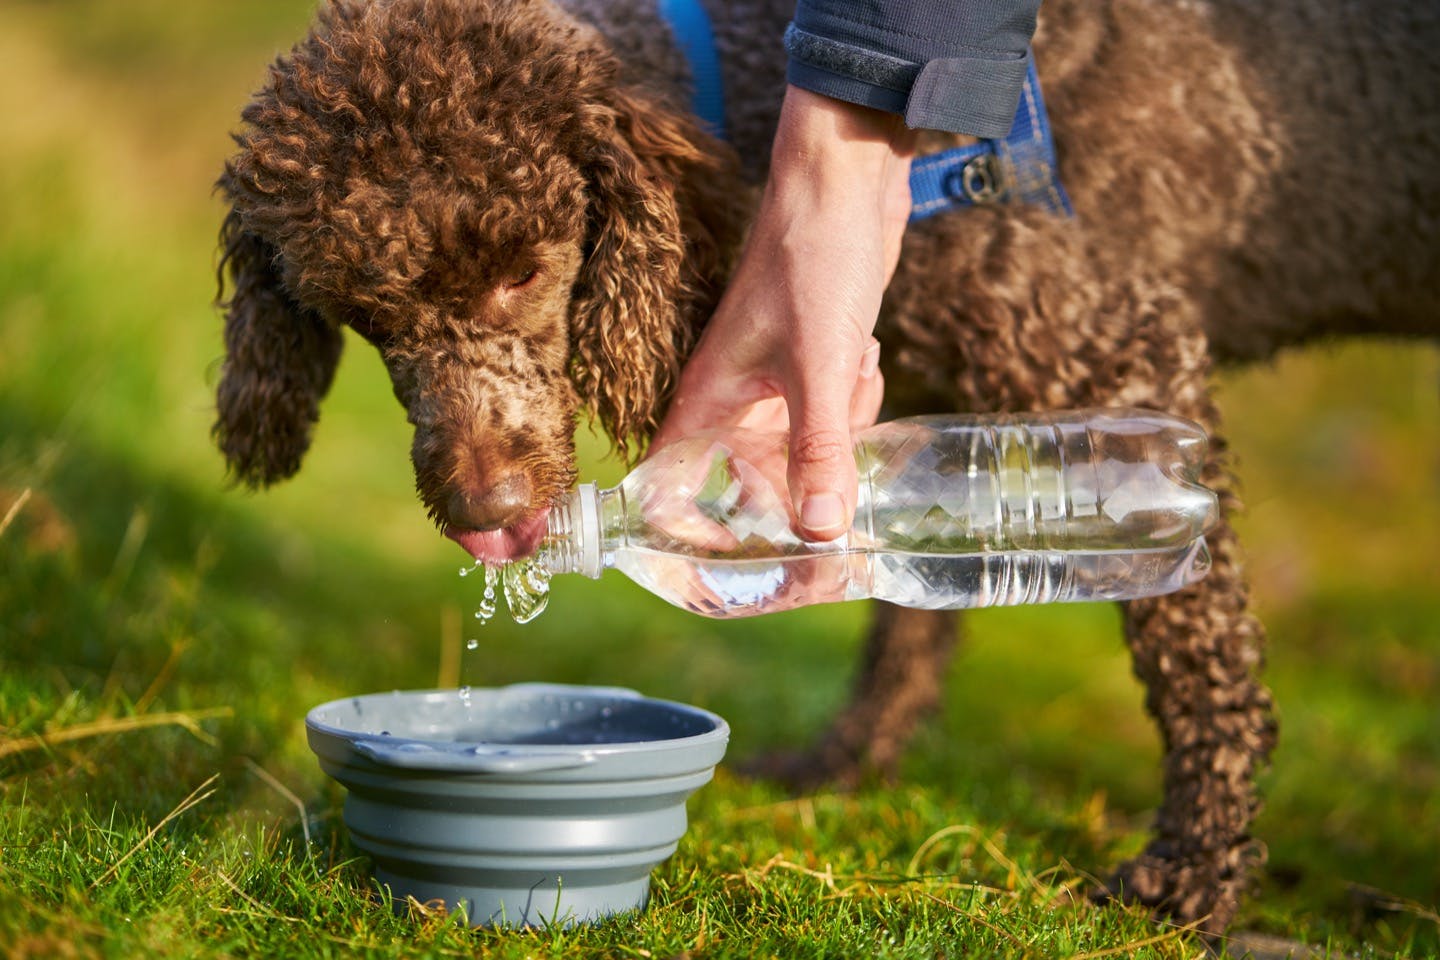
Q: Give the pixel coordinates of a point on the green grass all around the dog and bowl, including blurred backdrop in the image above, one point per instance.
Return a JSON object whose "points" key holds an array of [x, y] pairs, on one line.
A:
{"points": [[179, 631]]}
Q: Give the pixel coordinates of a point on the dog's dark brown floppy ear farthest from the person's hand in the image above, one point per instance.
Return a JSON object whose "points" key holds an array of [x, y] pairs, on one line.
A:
{"points": [[280, 361]]}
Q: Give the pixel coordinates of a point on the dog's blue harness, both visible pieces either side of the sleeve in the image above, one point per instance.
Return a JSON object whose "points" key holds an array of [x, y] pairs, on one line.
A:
{"points": [[1020, 168]]}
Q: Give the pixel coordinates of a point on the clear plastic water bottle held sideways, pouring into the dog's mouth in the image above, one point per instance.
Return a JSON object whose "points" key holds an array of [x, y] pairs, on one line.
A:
{"points": [[954, 512]]}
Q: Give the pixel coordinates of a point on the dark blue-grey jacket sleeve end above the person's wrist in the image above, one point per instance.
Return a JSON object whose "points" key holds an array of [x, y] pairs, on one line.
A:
{"points": [[954, 65]]}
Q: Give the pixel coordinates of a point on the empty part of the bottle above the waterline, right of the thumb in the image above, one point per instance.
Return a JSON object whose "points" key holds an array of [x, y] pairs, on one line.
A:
{"points": [[1104, 480]]}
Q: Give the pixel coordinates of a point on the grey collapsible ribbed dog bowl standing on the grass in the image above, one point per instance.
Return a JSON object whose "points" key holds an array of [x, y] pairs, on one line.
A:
{"points": [[525, 805]]}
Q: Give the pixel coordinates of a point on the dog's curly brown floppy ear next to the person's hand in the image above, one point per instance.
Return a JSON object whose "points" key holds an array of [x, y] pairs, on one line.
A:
{"points": [[634, 304]]}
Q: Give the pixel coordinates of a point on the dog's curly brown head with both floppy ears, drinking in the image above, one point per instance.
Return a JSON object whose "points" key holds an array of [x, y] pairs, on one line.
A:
{"points": [[472, 188]]}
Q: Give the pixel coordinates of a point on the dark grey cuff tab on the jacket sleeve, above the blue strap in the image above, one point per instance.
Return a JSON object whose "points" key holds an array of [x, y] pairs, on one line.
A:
{"points": [[967, 96]]}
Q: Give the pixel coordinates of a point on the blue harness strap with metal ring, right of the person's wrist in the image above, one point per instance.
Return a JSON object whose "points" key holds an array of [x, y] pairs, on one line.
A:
{"points": [[1022, 168]]}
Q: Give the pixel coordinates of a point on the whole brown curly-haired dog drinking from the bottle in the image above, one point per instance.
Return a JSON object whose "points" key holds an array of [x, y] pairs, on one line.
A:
{"points": [[513, 204]]}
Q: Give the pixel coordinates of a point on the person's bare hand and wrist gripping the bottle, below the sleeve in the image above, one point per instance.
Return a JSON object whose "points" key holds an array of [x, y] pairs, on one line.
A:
{"points": [[790, 346]]}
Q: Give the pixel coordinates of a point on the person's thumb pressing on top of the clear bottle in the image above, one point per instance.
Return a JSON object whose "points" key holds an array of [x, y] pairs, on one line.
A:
{"points": [[822, 470]]}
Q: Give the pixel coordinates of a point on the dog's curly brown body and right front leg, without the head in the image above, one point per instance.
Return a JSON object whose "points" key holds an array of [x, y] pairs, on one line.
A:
{"points": [[1209, 171]]}
